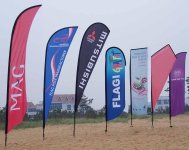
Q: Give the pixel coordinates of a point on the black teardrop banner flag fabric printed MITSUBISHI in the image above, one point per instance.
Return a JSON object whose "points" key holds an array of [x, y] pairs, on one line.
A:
{"points": [[91, 47]]}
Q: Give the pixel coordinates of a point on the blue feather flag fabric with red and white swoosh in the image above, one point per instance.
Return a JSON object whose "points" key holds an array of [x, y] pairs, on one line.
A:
{"points": [[56, 50]]}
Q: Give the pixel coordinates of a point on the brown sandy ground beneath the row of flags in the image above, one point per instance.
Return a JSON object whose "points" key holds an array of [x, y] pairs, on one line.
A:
{"points": [[120, 136]]}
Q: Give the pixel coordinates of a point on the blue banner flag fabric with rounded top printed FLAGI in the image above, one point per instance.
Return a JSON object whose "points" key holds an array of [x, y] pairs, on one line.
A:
{"points": [[114, 82]]}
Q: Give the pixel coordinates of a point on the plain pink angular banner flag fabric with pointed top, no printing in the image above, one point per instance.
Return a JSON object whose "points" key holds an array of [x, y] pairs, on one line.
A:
{"points": [[162, 63]]}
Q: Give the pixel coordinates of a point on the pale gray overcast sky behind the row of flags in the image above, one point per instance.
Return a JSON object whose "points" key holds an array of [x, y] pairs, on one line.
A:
{"points": [[132, 24]]}
